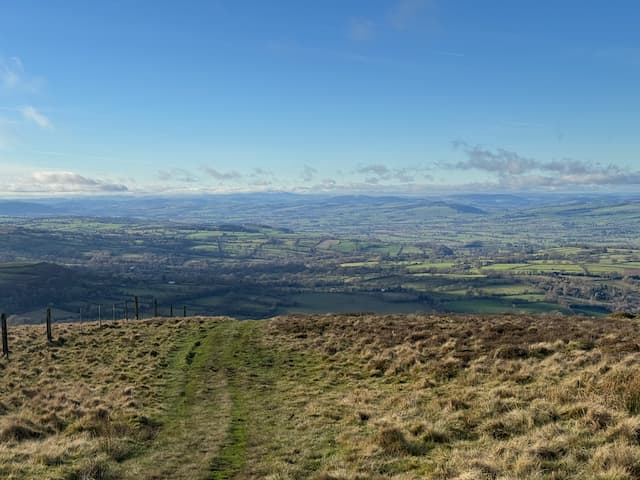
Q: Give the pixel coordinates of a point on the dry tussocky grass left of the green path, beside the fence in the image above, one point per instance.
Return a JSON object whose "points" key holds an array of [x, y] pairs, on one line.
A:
{"points": [[77, 408]]}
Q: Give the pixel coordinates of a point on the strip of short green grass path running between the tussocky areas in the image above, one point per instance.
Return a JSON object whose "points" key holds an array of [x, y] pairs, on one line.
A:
{"points": [[236, 411]]}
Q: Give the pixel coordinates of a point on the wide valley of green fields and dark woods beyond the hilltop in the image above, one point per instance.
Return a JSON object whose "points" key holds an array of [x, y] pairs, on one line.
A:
{"points": [[252, 260]]}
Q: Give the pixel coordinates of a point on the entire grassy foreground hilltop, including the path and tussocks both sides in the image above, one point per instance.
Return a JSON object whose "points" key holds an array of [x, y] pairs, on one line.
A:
{"points": [[339, 397]]}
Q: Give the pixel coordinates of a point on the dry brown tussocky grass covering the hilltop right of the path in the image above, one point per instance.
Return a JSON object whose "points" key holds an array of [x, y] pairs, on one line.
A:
{"points": [[501, 397]]}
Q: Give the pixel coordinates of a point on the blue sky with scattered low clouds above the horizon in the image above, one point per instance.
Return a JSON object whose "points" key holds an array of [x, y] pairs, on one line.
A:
{"points": [[318, 96]]}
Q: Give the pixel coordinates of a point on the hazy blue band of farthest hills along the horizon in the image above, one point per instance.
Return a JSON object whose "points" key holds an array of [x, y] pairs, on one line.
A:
{"points": [[253, 206]]}
